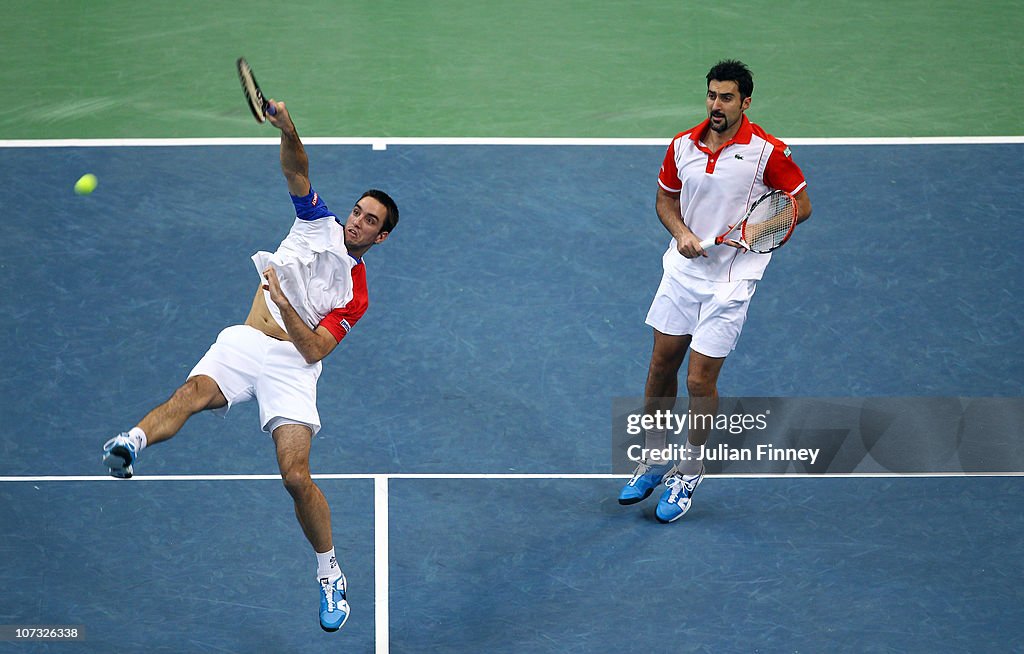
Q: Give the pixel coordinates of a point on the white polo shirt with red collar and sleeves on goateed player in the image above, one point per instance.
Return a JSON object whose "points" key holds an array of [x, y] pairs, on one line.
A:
{"points": [[716, 190]]}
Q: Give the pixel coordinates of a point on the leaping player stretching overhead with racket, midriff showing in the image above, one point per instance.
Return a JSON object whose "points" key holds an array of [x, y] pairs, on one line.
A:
{"points": [[313, 292]]}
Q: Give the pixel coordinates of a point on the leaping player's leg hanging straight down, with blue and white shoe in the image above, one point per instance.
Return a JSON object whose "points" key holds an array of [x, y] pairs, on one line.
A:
{"points": [[293, 445]]}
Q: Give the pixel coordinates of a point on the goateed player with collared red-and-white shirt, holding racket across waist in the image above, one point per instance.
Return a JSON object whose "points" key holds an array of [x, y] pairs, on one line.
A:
{"points": [[711, 176]]}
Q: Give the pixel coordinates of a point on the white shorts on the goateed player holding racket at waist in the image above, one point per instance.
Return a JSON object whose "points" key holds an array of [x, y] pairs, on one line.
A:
{"points": [[712, 312]]}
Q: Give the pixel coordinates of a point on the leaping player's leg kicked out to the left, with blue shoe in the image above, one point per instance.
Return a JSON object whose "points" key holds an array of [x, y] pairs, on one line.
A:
{"points": [[198, 394]]}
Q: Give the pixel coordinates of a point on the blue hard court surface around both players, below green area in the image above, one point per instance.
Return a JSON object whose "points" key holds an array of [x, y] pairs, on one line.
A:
{"points": [[475, 401]]}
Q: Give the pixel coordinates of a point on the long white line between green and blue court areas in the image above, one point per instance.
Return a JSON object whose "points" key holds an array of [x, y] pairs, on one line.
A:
{"points": [[382, 143]]}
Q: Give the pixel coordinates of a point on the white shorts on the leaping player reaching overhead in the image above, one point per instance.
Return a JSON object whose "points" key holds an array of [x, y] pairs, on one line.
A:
{"points": [[247, 364]]}
